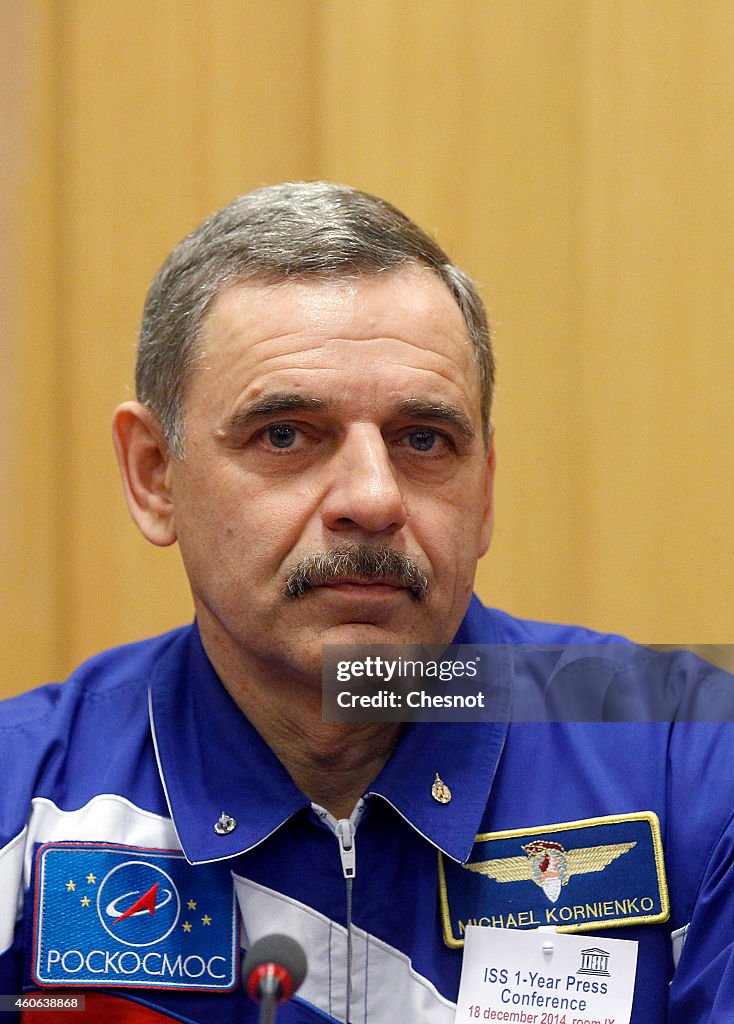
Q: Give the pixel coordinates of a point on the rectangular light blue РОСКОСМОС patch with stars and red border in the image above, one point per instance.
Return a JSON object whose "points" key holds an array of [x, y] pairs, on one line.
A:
{"points": [[124, 917]]}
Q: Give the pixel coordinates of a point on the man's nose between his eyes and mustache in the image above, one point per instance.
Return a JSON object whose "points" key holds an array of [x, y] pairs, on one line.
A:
{"points": [[364, 491]]}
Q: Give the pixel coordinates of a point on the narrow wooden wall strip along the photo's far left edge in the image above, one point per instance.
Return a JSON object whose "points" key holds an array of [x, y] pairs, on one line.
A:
{"points": [[29, 410]]}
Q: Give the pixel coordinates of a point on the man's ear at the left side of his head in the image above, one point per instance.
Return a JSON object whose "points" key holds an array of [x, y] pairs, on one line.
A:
{"points": [[144, 457]]}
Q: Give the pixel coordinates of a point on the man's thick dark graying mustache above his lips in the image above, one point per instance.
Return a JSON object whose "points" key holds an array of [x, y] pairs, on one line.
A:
{"points": [[361, 561]]}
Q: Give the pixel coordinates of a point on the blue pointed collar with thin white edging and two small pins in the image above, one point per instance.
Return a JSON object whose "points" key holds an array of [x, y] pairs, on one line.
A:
{"points": [[212, 761]]}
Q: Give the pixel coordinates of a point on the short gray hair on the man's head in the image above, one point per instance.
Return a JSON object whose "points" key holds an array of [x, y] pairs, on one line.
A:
{"points": [[272, 236]]}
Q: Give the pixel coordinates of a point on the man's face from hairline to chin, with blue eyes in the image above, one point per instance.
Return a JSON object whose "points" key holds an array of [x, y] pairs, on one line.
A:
{"points": [[324, 416]]}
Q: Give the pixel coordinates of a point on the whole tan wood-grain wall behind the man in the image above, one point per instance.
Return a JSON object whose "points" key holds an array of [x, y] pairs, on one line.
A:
{"points": [[576, 157]]}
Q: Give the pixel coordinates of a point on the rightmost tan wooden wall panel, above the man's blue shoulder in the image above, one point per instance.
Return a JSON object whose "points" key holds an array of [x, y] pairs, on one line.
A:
{"points": [[658, 274]]}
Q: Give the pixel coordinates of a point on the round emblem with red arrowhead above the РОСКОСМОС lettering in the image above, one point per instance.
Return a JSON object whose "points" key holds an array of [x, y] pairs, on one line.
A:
{"points": [[138, 904]]}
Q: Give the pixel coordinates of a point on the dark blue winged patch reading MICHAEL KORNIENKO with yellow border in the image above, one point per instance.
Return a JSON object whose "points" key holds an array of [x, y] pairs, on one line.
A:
{"points": [[576, 877]]}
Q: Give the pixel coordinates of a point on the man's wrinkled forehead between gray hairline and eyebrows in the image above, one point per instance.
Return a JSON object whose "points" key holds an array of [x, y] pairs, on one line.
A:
{"points": [[404, 319]]}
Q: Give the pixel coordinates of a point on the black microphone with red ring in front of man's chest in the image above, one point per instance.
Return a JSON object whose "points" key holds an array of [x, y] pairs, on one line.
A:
{"points": [[274, 969]]}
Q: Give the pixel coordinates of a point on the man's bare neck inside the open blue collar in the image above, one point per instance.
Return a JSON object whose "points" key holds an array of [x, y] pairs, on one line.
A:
{"points": [[332, 763]]}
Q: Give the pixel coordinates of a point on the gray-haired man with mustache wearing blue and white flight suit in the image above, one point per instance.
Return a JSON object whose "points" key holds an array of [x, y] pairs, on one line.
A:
{"points": [[313, 430]]}
